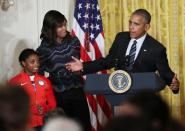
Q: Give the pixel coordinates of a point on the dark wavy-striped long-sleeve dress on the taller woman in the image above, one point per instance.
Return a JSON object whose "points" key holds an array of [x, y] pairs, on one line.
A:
{"points": [[68, 86]]}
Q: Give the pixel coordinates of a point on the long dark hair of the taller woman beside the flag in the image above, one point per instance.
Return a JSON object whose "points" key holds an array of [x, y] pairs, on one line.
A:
{"points": [[52, 20]]}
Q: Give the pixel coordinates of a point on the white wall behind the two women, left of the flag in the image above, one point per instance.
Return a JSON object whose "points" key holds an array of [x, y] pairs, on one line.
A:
{"points": [[20, 28]]}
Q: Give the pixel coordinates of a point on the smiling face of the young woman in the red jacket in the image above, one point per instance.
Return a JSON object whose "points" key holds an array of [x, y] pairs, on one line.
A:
{"points": [[31, 64]]}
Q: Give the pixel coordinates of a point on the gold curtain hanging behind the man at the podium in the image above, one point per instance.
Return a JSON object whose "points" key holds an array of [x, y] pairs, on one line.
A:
{"points": [[167, 26]]}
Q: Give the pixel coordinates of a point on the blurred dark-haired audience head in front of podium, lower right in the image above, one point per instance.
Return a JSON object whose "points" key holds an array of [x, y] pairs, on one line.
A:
{"points": [[147, 105]]}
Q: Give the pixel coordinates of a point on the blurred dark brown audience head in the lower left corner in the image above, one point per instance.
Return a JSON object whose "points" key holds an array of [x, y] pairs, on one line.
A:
{"points": [[14, 108]]}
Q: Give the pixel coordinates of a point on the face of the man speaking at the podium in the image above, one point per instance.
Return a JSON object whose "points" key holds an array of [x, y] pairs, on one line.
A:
{"points": [[137, 26]]}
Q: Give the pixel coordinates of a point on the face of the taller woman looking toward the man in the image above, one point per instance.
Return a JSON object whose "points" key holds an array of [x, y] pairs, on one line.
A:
{"points": [[61, 31]]}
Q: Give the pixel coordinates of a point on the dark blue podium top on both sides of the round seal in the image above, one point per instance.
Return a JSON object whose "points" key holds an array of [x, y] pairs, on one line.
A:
{"points": [[98, 83]]}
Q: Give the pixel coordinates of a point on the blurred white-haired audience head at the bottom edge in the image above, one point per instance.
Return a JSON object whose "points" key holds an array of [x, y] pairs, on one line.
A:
{"points": [[62, 124]]}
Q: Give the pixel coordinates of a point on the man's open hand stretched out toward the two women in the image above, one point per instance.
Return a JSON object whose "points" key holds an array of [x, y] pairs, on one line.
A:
{"points": [[75, 65]]}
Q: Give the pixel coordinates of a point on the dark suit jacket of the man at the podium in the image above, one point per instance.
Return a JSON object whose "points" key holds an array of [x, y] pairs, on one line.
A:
{"points": [[152, 57]]}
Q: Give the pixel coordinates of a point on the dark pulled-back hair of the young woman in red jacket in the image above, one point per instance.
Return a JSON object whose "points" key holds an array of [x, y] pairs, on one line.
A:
{"points": [[25, 54]]}
